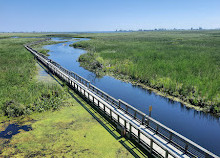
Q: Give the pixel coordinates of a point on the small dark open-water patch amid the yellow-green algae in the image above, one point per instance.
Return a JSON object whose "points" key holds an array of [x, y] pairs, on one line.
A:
{"points": [[12, 130]]}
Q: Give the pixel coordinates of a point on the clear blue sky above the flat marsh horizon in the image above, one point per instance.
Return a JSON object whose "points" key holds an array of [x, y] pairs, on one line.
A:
{"points": [[100, 15]]}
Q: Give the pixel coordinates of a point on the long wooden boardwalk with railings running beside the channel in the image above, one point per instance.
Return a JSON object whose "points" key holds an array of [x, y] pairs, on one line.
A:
{"points": [[156, 138]]}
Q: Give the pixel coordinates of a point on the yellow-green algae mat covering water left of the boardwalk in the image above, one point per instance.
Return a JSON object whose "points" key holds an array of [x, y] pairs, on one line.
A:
{"points": [[69, 132]]}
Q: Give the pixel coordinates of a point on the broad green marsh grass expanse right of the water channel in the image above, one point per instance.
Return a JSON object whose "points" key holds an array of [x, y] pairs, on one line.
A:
{"points": [[184, 64]]}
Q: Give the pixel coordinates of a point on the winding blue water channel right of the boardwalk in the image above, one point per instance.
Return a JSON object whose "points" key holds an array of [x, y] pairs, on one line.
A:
{"points": [[201, 128]]}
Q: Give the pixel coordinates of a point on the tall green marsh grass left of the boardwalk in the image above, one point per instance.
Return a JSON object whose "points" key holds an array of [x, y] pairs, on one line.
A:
{"points": [[19, 92]]}
